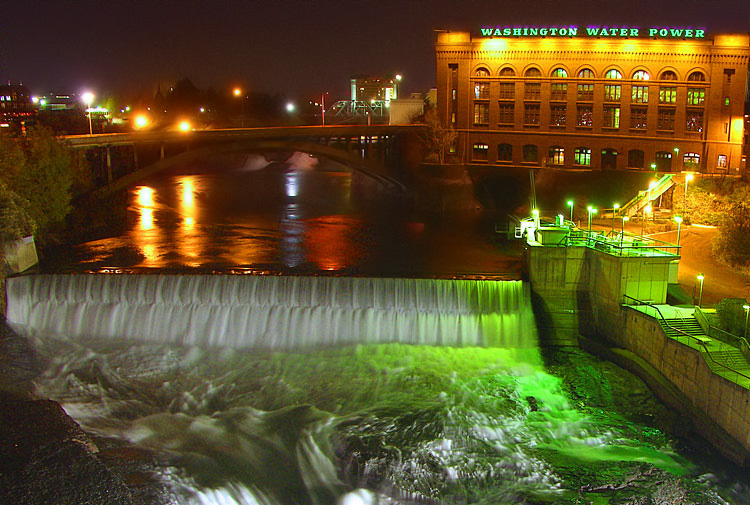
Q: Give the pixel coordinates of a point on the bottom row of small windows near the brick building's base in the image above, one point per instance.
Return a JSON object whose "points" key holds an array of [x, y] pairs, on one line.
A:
{"points": [[582, 156]]}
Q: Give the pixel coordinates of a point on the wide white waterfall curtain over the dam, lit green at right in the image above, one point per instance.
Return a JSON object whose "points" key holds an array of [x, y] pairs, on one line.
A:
{"points": [[272, 312]]}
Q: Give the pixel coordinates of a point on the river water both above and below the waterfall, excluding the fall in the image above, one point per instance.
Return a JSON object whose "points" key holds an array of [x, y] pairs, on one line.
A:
{"points": [[357, 424]]}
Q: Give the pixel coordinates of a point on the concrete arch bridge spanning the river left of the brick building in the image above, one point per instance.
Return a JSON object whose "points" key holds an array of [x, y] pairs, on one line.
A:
{"points": [[122, 159]]}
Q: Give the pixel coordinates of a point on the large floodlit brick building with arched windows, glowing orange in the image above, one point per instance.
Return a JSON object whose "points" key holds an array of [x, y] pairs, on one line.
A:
{"points": [[595, 98]]}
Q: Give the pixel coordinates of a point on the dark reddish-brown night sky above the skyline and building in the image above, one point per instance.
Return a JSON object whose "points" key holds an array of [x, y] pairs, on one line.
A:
{"points": [[287, 46]]}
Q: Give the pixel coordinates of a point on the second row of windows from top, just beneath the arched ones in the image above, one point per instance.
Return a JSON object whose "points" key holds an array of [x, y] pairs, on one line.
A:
{"points": [[585, 93]]}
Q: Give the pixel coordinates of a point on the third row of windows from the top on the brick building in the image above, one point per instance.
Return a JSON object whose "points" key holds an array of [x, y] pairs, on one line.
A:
{"points": [[665, 120]]}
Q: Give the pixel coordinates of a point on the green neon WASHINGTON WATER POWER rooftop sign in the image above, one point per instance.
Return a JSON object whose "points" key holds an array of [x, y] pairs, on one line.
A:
{"points": [[662, 32]]}
